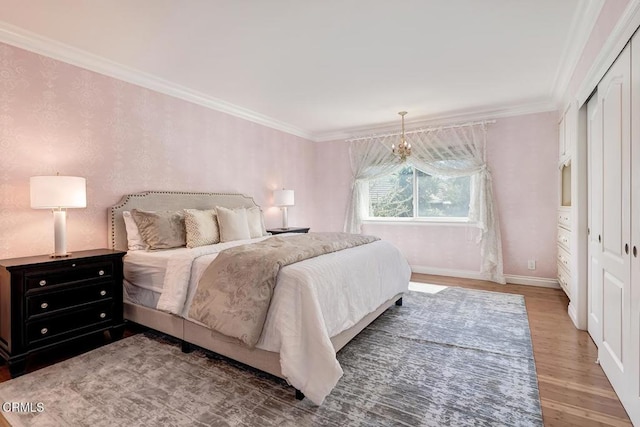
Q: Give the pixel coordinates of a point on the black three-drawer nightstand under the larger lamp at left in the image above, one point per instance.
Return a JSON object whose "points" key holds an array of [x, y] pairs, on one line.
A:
{"points": [[48, 301]]}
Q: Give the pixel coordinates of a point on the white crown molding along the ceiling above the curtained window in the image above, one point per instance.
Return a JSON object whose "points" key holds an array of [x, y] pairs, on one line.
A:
{"points": [[487, 113]]}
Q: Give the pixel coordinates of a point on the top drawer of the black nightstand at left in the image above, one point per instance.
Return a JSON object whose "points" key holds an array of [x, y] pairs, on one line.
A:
{"points": [[71, 274]]}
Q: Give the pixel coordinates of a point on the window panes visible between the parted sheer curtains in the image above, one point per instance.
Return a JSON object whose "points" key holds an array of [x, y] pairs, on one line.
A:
{"points": [[411, 193]]}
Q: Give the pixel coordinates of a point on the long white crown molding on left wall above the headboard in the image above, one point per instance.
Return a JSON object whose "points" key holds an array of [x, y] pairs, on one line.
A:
{"points": [[32, 42]]}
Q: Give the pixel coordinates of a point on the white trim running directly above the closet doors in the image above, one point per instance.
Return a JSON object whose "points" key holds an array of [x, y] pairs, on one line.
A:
{"points": [[617, 40]]}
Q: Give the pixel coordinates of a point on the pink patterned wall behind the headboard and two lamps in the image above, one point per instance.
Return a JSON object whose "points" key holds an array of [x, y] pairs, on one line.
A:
{"points": [[55, 117]]}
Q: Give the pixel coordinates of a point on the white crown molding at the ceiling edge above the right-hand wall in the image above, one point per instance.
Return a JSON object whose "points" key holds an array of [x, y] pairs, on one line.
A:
{"points": [[580, 30]]}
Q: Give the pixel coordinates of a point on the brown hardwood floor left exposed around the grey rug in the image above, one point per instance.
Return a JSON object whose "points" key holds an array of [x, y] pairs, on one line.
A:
{"points": [[573, 389]]}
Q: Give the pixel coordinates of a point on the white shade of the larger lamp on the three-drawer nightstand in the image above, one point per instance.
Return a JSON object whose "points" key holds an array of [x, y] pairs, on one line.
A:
{"points": [[51, 192]]}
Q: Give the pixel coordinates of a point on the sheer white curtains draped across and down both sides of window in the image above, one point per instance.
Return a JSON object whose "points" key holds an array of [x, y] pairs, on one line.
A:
{"points": [[445, 151]]}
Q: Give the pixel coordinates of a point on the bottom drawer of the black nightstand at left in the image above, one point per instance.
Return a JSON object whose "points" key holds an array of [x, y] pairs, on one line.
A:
{"points": [[54, 327]]}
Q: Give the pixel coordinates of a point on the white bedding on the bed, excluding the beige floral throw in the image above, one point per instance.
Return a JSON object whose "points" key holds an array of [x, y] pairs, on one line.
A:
{"points": [[314, 300]]}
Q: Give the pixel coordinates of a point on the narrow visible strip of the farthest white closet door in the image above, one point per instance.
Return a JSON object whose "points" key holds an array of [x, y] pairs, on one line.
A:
{"points": [[594, 273]]}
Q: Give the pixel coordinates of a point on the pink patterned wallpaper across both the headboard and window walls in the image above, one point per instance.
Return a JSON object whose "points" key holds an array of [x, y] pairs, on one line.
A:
{"points": [[55, 117]]}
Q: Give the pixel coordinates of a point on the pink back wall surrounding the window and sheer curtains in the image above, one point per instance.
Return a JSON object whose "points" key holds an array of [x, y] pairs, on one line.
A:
{"points": [[522, 153]]}
